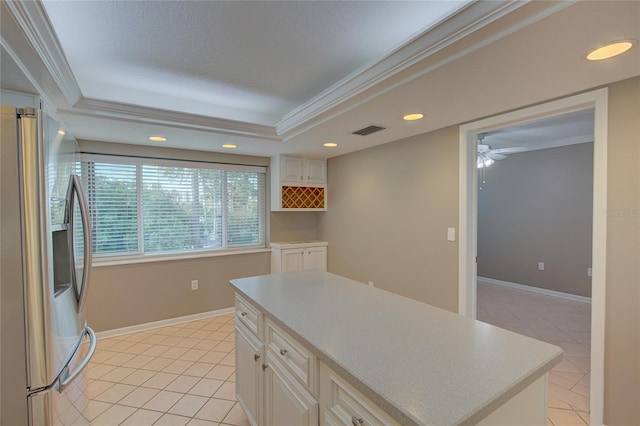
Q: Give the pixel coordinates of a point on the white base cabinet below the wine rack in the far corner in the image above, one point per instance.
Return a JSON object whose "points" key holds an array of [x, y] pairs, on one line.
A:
{"points": [[298, 256]]}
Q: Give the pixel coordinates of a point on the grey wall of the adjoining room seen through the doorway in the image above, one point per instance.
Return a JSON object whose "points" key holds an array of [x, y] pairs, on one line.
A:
{"points": [[535, 207]]}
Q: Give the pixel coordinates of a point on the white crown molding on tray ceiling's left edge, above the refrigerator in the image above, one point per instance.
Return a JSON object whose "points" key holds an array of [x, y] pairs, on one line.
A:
{"points": [[36, 27]]}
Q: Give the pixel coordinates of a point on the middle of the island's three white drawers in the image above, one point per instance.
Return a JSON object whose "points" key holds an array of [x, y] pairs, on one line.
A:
{"points": [[296, 359]]}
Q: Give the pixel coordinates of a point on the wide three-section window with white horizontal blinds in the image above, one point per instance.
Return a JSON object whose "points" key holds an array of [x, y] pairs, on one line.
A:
{"points": [[146, 207]]}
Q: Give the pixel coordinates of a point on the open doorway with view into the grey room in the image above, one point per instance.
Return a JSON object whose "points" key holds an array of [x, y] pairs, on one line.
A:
{"points": [[535, 193]]}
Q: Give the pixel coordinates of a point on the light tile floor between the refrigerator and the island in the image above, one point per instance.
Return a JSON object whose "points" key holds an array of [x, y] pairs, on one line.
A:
{"points": [[176, 375]]}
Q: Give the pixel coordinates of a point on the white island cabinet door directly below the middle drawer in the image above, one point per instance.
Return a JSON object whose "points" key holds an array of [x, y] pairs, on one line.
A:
{"points": [[286, 402]]}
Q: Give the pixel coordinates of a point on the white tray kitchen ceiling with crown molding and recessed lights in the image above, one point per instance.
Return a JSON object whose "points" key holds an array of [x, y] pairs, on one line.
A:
{"points": [[284, 77]]}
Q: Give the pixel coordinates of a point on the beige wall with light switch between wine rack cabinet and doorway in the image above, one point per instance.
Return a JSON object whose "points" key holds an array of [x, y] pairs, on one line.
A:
{"points": [[390, 209]]}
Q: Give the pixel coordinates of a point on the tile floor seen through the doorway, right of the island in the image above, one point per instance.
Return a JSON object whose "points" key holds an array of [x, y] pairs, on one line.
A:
{"points": [[562, 322]]}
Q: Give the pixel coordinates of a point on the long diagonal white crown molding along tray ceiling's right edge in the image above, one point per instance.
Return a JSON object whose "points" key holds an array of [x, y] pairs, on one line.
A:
{"points": [[449, 31]]}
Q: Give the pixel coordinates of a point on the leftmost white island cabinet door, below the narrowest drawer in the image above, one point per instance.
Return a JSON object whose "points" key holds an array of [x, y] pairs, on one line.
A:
{"points": [[249, 359]]}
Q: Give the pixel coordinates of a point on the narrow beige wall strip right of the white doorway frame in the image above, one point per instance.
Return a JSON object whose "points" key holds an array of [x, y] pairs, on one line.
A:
{"points": [[622, 333]]}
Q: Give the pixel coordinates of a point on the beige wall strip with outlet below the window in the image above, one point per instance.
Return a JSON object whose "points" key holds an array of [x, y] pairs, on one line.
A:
{"points": [[126, 295]]}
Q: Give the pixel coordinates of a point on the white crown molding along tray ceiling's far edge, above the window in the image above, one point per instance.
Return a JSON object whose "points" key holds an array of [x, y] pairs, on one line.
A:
{"points": [[95, 108]]}
